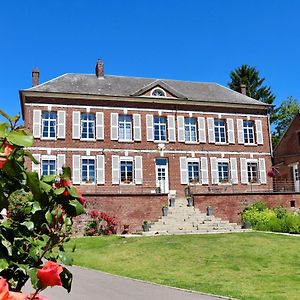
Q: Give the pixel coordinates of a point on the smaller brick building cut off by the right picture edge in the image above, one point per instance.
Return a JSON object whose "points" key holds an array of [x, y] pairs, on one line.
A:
{"points": [[287, 158]]}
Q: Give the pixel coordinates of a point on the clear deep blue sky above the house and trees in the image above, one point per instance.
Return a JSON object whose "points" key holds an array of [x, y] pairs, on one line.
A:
{"points": [[185, 40]]}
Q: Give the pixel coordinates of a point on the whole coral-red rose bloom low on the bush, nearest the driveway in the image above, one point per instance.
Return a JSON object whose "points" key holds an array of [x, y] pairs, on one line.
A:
{"points": [[48, 275]]}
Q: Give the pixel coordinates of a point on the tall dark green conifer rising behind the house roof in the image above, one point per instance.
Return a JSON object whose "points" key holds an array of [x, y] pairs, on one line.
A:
{"points": [[250, 77]]}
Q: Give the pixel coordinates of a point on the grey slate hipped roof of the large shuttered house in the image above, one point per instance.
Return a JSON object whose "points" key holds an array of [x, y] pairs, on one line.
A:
{"points": [[89, 84]]}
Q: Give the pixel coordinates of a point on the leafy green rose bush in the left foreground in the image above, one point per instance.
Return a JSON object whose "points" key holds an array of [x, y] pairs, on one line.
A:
{"points": [[39, 218]]}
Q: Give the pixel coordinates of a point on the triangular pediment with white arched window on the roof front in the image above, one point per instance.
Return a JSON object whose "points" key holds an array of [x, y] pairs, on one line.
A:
{"points": [[158, 88]]}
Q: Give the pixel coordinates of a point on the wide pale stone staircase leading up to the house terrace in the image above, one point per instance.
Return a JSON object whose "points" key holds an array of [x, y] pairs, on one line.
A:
{"points": [[182, 219]]}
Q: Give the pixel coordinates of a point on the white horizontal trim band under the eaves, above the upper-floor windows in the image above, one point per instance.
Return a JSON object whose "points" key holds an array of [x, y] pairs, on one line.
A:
{"points": [[195, 114]]}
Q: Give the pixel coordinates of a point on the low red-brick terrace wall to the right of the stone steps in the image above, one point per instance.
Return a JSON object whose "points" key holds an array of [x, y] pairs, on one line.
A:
{"points": [[230, 206]]}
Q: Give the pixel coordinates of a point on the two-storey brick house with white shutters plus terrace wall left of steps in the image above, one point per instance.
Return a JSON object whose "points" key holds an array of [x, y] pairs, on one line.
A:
{"points": [[128, 138]]}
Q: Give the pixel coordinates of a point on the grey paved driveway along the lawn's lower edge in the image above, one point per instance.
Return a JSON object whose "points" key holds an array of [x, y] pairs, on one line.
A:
{"points": [[94, 285]]}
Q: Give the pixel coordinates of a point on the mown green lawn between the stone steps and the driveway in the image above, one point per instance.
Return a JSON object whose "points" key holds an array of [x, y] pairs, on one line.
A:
{"points": [[241, 265]]}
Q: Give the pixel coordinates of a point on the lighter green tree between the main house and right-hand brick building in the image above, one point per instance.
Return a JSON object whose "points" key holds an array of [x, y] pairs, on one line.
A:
{"points": [[284, 115]]}
